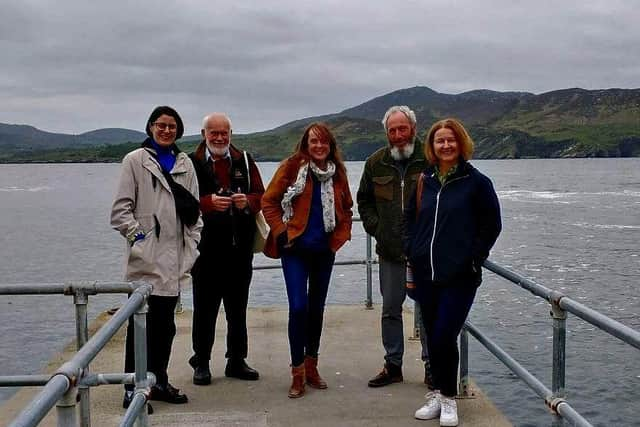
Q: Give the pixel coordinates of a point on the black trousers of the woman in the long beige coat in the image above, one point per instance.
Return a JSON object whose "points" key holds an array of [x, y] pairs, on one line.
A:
{"points": [[161, 329]]}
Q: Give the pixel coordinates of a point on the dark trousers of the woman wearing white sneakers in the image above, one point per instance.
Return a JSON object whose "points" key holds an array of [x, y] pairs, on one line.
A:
{"points": [[444, 310]]}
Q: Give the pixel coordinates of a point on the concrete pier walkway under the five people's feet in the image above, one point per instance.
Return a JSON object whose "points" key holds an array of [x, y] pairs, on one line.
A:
{"points": [[351, 353]]}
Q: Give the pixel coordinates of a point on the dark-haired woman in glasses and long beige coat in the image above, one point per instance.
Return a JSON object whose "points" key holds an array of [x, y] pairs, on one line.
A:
{"points": [[162, 236]]}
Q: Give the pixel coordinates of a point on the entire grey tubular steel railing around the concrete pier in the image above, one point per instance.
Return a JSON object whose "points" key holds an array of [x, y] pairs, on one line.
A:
{"points": [[74, 374]]}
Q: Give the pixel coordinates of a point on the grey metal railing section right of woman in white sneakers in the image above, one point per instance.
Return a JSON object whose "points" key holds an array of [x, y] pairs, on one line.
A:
{"points": [[554, 398]]}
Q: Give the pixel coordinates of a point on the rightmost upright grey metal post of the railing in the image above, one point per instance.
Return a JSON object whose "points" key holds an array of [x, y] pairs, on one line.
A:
{"points": [[559, 343]]}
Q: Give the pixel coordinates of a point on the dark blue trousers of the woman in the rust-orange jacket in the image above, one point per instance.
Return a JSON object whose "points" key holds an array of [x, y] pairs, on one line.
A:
{"points": [[306, 304]]}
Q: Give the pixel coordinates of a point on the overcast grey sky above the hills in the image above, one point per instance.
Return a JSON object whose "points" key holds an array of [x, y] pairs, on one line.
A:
{"points": [[76, 65]]}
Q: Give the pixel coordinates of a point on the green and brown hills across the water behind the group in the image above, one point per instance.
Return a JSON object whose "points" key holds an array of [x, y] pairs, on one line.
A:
{"points": [[563, 123]]}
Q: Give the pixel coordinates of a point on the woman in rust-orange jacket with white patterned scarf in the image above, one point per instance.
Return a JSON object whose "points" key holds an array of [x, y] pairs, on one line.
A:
{"points": [[308, 208]]}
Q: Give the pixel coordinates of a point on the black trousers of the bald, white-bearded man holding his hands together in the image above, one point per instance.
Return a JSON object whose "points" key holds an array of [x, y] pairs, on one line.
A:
{"points": [[223, 279]]}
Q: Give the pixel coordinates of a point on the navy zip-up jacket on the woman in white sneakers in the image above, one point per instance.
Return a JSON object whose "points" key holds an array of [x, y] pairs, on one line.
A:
{"points": [[456, 227]]}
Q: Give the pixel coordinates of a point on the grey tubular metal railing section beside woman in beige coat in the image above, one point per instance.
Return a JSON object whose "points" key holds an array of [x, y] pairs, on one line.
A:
{"points": [[73, 378]]}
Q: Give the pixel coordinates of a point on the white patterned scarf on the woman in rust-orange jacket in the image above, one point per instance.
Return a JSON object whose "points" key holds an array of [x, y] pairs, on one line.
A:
{"points": [[326, 191]]}
